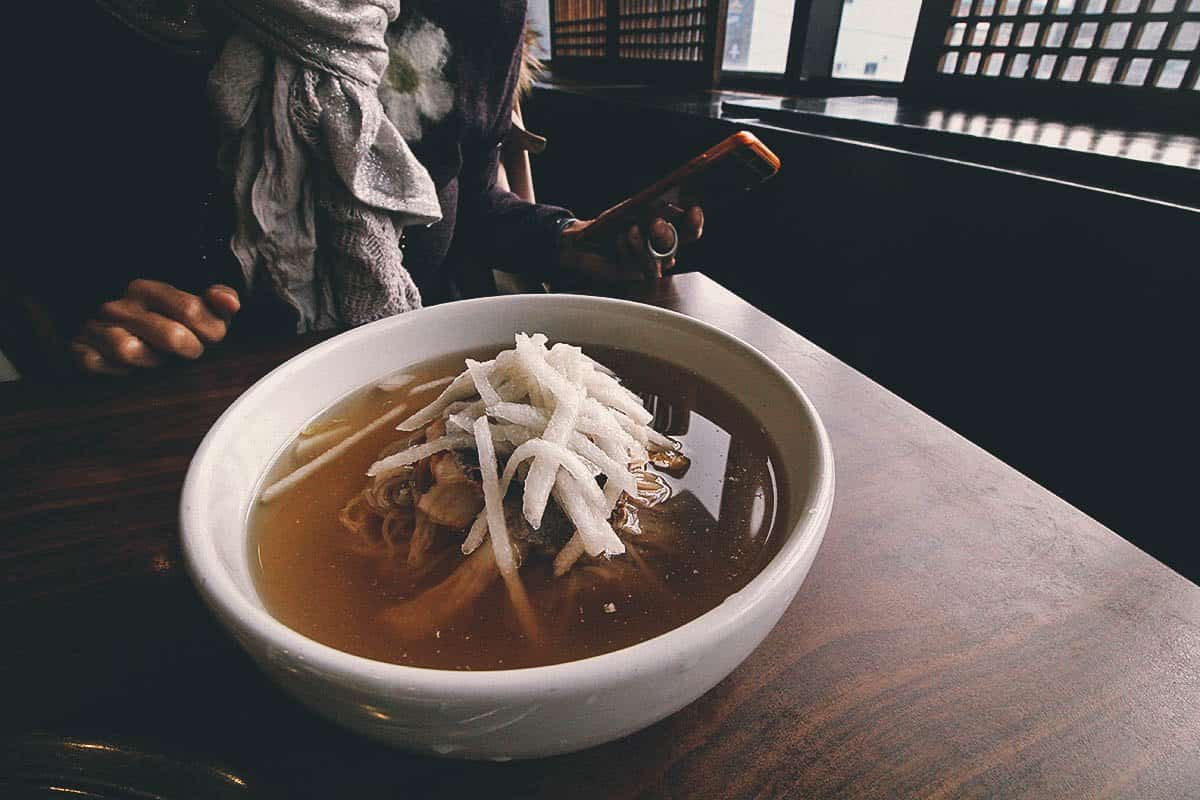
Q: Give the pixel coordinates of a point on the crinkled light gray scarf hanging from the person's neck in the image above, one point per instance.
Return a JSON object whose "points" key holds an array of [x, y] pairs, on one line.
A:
{"points": [[323, 183]]}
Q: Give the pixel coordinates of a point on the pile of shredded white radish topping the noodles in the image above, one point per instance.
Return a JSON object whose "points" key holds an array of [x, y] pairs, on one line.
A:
{"points": [[573, 431]]}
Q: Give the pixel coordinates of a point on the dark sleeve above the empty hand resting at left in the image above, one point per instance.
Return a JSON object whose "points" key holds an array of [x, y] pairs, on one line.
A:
{"points": [[133, 175]]}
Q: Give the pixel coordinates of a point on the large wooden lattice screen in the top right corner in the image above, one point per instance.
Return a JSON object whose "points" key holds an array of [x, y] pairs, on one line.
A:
{"points": [[1126, 56]]}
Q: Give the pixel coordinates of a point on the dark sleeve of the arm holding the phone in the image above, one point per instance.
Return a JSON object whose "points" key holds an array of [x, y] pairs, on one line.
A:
{"points": [[517, 236]]}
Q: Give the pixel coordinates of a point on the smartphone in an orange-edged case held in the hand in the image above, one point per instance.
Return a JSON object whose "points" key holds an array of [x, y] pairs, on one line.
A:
{"points": [[718, 176]]}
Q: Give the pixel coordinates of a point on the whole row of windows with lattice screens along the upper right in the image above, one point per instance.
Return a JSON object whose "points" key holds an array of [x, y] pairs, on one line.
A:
{"points": [[1018, 52]]}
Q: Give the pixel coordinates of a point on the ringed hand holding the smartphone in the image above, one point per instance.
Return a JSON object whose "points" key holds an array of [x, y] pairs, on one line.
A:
{"points": [[641, 252]]}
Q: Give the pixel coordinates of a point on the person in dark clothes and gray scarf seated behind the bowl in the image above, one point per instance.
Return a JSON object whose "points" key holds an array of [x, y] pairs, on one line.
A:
{"points": [[363, 178]]}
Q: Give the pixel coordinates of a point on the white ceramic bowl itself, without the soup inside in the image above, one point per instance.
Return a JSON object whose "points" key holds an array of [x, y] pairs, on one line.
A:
{"points": [[518, 713]]}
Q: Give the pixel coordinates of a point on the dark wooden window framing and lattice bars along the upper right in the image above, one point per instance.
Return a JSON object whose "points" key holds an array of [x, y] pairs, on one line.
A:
{"points": [[813, 44]]}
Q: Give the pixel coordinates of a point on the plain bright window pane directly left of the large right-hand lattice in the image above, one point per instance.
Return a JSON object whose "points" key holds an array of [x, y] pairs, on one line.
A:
{"points": [[879, 33]]}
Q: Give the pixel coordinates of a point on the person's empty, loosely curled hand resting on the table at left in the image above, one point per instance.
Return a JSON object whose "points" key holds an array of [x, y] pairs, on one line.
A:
{"points": [[153, 323]]}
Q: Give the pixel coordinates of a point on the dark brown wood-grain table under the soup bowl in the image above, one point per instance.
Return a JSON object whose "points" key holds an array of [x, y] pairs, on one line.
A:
{"points": [[963, 631]]}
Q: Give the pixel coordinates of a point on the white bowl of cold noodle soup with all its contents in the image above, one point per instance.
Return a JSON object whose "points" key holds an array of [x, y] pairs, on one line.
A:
{"points": [[512, 527]]}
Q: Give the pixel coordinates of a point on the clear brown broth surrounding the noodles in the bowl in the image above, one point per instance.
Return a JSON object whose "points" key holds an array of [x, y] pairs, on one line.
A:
{"points": [[723, 514]]}
